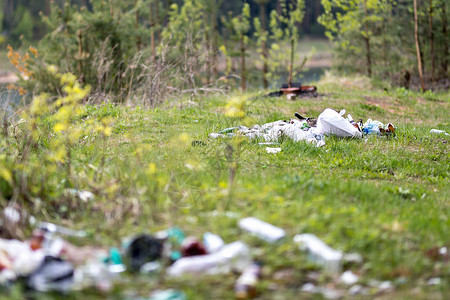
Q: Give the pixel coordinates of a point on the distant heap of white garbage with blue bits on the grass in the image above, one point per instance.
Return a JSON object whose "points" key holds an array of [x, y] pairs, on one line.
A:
{"points": [[312, 130]]}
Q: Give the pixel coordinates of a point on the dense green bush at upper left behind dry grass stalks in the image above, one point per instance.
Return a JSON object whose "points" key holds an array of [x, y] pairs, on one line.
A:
{"points": [[94, 45]]}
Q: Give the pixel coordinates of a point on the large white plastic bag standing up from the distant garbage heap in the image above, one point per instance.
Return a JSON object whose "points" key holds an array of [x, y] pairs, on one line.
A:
{"points": [[331, 122]]}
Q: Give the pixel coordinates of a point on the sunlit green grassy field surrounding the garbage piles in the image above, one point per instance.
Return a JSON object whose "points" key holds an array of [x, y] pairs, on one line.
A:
{"points": [[384, 198]]}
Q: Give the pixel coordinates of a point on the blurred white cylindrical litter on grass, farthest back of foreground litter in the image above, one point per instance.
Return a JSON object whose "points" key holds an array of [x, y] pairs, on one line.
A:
{"points": [[261, 229]]}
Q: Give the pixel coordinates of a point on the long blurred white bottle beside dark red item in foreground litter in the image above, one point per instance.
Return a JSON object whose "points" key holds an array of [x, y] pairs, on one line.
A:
{"points": [[234, 256]]}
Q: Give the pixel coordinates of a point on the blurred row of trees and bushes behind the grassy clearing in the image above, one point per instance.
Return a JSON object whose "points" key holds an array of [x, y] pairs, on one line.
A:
{"points": [[106, 43]]}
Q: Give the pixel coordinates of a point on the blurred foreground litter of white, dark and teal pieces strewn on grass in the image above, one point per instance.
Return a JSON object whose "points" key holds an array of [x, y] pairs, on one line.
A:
{"points": [[48, 262]]}
